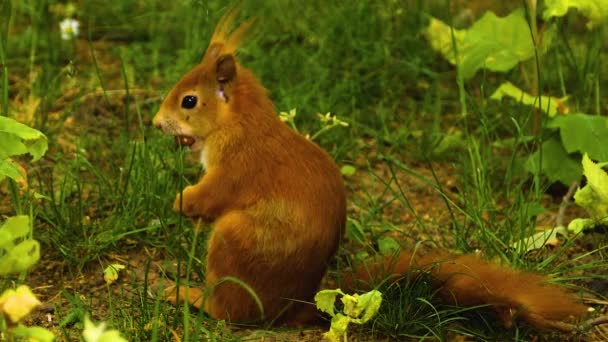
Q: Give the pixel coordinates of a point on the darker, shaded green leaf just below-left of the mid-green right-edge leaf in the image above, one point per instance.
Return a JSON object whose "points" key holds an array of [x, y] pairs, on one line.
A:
{"points": [[557, 164]]}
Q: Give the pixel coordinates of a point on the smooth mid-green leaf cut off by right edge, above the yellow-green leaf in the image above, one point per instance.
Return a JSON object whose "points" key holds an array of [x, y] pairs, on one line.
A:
{"points": [[584, 134]]}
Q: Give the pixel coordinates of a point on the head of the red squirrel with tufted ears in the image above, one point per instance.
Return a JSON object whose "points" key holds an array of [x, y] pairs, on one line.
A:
{"points": [[200, 102]]}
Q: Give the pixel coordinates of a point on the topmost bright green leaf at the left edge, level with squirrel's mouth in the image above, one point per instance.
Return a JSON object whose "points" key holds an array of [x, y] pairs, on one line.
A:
{"points": [[17, 138]]}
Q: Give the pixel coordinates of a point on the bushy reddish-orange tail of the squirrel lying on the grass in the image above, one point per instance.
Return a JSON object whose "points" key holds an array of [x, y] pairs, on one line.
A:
{"points": [[467, 280]]}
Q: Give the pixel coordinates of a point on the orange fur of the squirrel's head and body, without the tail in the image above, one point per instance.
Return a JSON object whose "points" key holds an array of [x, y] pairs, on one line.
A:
{"points": [[276, 200]]}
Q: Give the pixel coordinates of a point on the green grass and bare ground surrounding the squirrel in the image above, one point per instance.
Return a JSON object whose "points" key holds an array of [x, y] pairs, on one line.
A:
{"points": [[108, 189]]}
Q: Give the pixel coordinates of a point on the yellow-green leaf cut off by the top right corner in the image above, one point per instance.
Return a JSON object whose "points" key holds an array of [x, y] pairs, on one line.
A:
{"points": [[595, 10]]}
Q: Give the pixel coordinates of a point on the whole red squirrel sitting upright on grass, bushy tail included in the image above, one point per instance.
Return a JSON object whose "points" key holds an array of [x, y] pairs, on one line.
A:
{"points": [[277, 204]]}
